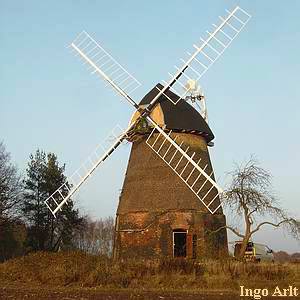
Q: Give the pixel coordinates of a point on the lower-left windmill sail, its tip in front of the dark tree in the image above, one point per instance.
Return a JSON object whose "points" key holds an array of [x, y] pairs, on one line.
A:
{"points": [[73, 183]]}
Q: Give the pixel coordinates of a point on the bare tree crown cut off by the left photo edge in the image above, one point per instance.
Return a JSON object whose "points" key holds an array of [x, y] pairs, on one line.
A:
{"points": [[10, 187]]}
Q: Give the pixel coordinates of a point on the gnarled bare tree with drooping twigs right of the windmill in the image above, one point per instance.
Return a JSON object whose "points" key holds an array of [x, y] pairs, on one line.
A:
{"points": [[251, 199]]}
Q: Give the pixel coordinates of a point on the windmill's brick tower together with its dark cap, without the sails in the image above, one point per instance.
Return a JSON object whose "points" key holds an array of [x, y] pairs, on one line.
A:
{"points": [[158, 215]]}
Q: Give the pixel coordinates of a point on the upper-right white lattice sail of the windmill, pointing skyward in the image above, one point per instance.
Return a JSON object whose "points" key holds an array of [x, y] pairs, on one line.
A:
{"points": [[197, 63]]}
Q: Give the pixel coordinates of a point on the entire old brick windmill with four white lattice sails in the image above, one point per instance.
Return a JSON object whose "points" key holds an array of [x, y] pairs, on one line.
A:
{"points": [[170, 198]]}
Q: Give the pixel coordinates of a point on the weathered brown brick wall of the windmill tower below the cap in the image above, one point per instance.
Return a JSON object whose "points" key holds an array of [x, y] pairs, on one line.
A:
{"points": [[155, 202]]}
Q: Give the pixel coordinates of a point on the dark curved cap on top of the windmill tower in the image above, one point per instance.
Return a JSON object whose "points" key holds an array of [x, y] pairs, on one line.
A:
{"points": [[180, 117]]}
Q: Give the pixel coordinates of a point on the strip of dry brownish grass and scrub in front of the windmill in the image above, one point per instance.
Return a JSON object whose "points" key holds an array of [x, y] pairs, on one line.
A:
{"points": [[76, 271]]}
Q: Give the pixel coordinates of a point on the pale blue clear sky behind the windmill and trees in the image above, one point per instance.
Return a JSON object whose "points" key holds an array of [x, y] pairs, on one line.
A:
{"points": [[48, 100]]}
